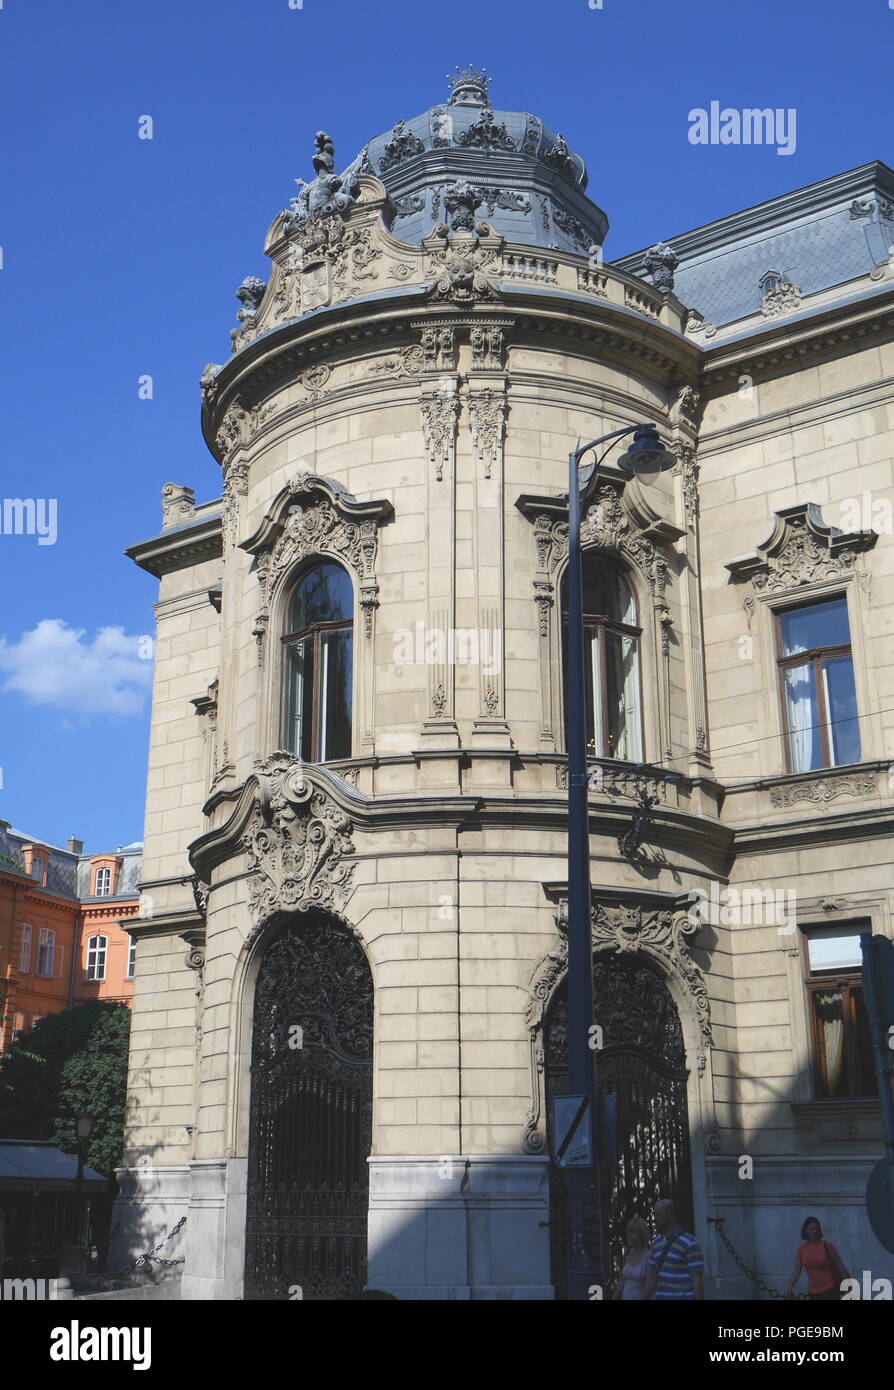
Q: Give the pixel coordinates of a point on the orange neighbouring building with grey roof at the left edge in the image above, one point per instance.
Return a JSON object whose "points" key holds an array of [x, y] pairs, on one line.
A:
{"points": [[62, 928]]}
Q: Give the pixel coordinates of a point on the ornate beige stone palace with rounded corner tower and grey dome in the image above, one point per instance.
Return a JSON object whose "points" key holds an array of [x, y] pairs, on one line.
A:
{"points": [[350, 996]]}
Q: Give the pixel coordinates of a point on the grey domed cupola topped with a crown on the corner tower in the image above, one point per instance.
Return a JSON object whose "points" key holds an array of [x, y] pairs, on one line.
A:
{"points": [[465, 161]]}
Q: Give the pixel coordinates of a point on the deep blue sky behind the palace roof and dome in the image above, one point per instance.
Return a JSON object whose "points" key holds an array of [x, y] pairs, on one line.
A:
{"points": [[120, 259]]}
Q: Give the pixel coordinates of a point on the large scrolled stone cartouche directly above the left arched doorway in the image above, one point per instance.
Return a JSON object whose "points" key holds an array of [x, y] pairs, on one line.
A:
{"points": [[297, 844]]}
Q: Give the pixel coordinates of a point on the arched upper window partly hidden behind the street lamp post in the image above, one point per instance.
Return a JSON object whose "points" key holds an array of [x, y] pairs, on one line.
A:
{"points": [[611, 661]]}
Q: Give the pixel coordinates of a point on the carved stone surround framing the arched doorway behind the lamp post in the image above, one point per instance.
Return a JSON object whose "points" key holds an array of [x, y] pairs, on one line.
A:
{"points": [[657, 933]]}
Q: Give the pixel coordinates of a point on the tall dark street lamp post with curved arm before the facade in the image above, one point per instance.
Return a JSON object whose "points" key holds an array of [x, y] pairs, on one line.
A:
{"points": [[583, 1182]]}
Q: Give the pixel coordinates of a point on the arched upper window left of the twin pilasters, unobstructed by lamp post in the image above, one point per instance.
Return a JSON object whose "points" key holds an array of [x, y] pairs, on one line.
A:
{"points": [[318, 665]]}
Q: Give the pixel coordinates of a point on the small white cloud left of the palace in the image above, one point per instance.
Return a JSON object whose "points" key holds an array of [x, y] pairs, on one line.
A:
{"points": [[54, 665]]}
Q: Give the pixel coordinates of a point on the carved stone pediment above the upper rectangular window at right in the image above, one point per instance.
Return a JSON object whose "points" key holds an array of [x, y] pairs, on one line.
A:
{"points": [[802, 550]]}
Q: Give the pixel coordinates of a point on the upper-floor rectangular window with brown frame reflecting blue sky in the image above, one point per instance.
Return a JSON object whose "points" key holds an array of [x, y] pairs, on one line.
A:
{"points": [[817, 686]]}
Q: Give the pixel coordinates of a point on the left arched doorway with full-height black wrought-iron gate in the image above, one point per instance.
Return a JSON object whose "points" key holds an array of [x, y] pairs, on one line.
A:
{"points": [[311, 1114]]}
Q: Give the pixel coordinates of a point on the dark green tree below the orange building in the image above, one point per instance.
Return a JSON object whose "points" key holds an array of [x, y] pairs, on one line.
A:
{"points": [[70, 1063]]}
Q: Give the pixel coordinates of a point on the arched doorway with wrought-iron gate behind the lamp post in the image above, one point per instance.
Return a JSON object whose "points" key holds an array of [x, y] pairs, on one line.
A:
{"points": [[643, 1065]]}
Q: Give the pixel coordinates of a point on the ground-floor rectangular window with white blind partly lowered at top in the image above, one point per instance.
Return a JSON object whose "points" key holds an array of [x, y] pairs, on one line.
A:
{"points": [[843, 1060]]}
